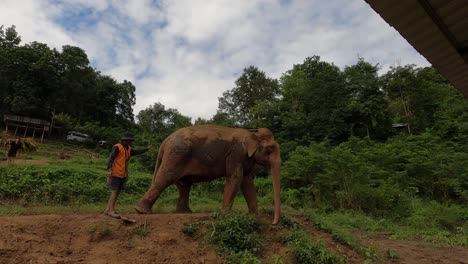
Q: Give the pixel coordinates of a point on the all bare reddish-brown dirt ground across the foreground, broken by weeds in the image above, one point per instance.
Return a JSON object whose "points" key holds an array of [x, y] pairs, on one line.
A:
{"points": [[94, 238]]}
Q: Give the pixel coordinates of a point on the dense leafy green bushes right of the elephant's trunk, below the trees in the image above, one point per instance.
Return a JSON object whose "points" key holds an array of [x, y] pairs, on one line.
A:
{"points": [[377, 178]]}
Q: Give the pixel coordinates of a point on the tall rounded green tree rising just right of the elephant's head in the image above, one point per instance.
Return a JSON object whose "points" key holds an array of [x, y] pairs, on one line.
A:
{"points": [[314, 99]]}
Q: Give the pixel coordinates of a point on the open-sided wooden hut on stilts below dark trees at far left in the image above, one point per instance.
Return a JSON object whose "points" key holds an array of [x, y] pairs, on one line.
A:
{"points": [[22, 124]]}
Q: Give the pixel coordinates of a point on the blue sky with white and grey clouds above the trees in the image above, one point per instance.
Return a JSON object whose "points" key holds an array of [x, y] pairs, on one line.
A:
{"points": [[186, 53]]}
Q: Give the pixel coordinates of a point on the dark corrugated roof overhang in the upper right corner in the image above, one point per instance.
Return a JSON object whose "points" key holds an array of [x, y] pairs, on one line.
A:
{"points": [[438, 29]]}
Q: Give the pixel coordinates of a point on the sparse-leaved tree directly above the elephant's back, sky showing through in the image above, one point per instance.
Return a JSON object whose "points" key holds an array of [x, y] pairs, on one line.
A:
{"points": [[252, 86]]}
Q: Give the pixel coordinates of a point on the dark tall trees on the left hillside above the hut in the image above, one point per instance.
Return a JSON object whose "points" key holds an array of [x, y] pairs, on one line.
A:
{"points": [[38, 81]]}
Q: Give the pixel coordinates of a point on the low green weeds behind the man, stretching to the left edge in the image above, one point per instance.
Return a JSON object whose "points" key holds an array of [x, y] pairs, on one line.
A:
{"points": [[61, 185]]}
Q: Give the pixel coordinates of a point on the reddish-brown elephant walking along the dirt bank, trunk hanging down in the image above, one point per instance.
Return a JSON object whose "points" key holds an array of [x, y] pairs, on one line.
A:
{"points": [[206, 152]]}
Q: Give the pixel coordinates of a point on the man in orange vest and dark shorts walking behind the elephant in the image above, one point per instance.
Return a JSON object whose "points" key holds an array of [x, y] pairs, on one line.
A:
{"points": [[117, 169]]}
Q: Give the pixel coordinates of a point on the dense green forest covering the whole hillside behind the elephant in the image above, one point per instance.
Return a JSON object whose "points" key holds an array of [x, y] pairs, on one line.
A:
{"points": [[389, 144]]}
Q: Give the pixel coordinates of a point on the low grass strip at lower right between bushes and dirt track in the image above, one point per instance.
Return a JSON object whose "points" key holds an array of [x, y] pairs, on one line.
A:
{"points": [[342, 223]]}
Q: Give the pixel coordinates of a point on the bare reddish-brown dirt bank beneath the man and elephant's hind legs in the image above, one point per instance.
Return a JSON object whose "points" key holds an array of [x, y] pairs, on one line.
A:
{"points": [[100, 239]]}
